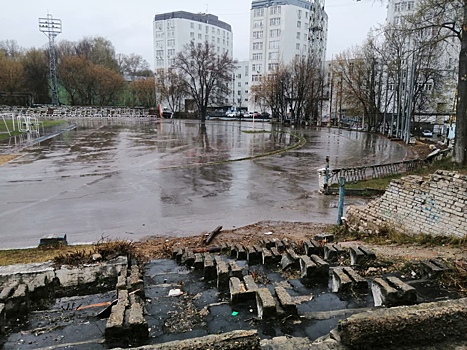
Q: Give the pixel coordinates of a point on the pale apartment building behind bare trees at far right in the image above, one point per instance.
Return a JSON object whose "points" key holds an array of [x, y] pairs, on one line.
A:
{"points": [[436, 107]]}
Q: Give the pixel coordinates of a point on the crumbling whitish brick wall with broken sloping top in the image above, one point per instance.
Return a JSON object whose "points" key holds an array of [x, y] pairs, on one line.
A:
{"points": [[434, 204]]}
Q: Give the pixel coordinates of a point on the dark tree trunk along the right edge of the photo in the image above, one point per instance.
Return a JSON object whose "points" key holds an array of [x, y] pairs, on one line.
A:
{"points": [[460, 146]]}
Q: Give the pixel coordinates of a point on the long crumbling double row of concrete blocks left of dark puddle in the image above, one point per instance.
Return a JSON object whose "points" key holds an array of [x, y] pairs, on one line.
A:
{"points": [[126, 324]]}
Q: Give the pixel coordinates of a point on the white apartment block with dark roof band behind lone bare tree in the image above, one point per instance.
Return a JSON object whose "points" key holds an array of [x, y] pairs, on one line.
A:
{"points": [[174, 30]]}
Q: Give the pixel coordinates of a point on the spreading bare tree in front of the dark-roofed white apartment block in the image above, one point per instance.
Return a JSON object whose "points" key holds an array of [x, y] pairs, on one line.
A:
{"points": [[206, 73]]}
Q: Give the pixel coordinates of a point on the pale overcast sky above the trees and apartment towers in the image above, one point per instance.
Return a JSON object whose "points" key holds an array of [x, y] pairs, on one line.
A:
{"points": [[128, 24]]}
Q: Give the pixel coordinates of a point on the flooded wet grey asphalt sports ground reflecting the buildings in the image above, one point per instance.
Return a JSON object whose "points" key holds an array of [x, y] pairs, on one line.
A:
{"points": [[127, 178]]}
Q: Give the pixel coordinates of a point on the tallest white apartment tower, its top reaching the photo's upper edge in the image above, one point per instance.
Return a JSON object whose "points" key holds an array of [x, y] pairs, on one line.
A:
{"points": [[281, 30]]}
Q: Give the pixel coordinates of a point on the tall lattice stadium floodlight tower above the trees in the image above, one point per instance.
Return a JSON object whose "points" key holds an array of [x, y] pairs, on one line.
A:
{"points": [[51, 27]]}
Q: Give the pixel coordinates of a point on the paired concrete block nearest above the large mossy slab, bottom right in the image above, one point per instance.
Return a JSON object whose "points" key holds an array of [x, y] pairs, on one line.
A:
{"points": [[391, 291]]}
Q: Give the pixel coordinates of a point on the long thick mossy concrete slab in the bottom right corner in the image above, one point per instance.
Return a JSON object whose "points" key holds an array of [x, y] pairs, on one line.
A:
{"points": [[396, 327]]}
